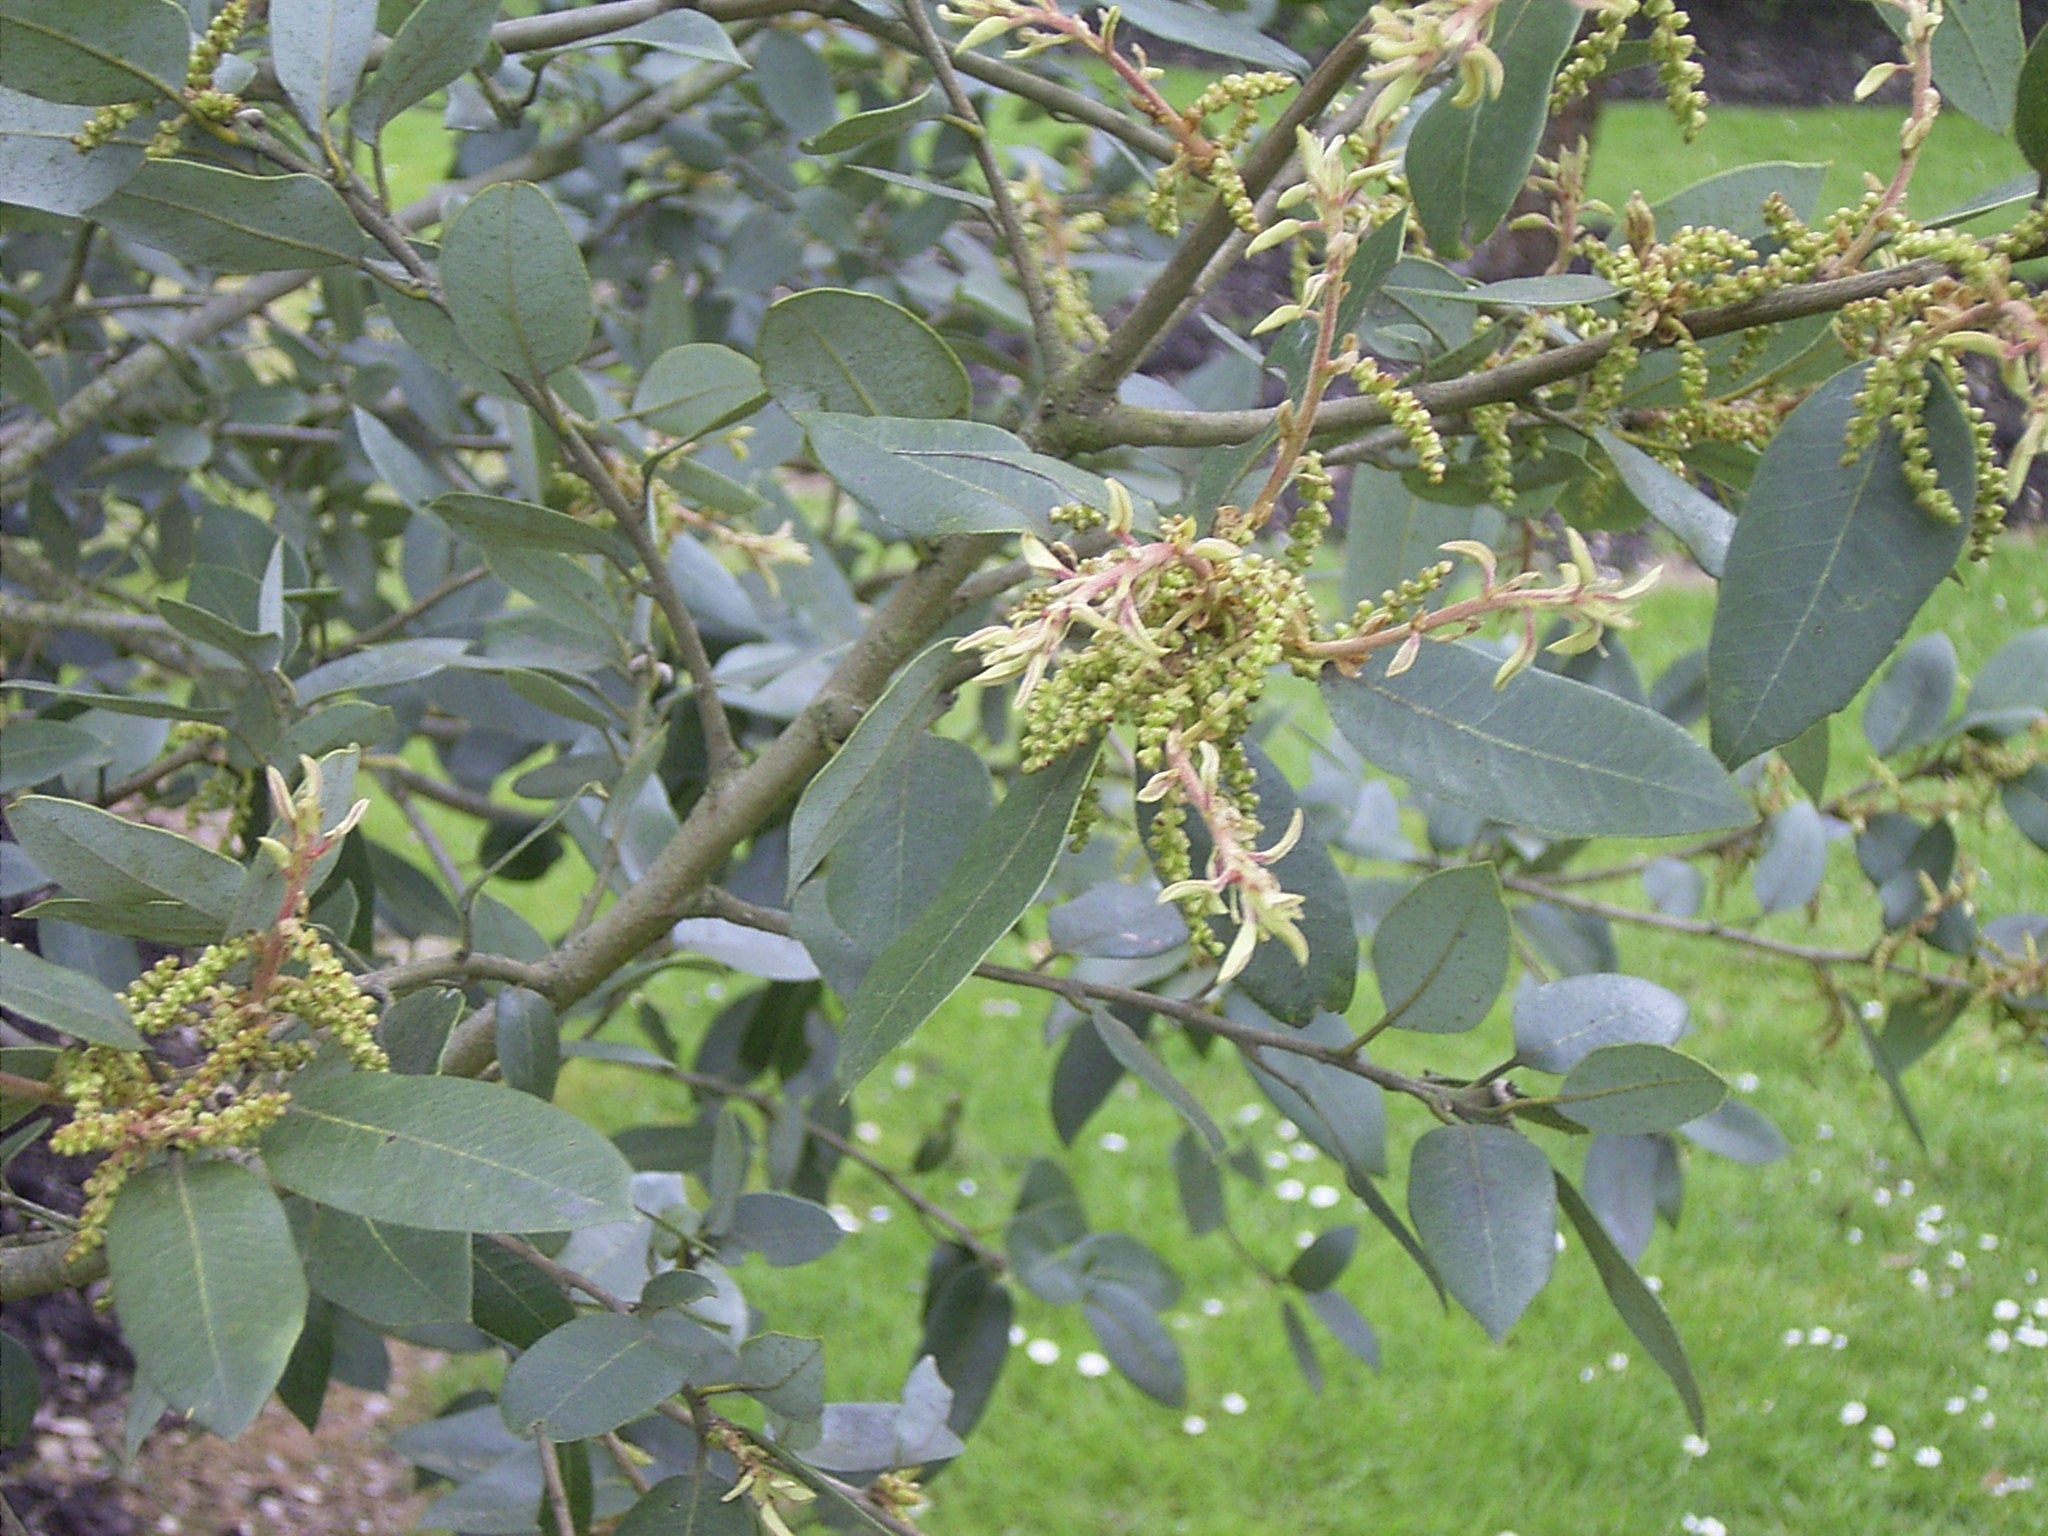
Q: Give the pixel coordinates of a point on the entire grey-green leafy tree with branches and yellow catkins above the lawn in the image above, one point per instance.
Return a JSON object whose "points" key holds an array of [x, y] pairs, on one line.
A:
{"points": [[740, 482]]}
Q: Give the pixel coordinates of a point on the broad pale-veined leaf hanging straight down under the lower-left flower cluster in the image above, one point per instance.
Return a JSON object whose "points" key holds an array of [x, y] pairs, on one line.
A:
{"points": [[208, 1285]]}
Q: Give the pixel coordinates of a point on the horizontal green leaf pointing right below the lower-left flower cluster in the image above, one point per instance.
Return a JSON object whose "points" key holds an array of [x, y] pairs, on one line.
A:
{"points": [[445, 1154]]}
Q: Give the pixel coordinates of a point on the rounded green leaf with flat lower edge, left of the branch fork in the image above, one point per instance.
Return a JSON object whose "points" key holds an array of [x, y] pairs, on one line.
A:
{"points": [[855, 353]]}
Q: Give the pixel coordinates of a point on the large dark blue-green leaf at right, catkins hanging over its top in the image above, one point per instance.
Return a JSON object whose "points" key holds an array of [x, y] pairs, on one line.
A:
{"points": [[1826, 570]]}
